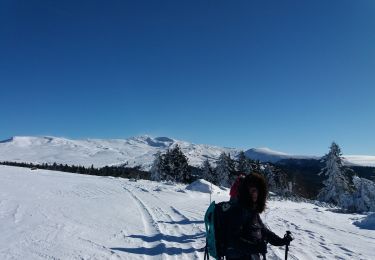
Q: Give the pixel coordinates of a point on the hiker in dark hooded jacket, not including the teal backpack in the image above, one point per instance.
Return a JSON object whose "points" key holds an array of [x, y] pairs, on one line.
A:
{"points": [[245, 234]]}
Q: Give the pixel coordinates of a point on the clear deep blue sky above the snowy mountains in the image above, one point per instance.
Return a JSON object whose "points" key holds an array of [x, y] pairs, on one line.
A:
{"points": [[289, 75]]}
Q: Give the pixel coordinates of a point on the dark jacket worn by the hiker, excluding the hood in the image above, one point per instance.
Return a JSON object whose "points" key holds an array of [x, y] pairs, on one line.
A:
{"points": [[245, 234]]}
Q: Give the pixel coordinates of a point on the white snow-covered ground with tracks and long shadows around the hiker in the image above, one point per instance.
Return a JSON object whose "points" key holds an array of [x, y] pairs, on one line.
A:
{"points": [[53, 215]]}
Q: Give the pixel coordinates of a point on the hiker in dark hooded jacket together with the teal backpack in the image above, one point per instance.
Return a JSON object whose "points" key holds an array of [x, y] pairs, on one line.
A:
{"points": [[237, 227]]}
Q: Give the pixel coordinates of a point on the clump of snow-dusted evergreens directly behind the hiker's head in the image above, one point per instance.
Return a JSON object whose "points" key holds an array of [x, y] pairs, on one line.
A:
{"points": [[173, 165]]}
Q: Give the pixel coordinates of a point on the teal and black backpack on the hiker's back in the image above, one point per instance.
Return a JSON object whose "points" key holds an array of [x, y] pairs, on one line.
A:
{"points": [[215, 239]]}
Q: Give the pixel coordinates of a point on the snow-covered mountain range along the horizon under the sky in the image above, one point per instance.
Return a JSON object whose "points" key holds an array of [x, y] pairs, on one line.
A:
{"points": [[136, 151]]}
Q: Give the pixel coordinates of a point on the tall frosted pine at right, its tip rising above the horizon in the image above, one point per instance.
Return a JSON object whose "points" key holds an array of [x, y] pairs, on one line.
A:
{"points": [[337, 187]]}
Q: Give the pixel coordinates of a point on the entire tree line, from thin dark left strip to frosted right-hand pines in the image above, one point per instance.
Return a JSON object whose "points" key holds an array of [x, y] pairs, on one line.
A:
{"points": [[338, 183]]}
